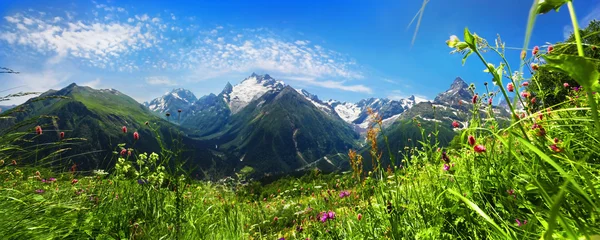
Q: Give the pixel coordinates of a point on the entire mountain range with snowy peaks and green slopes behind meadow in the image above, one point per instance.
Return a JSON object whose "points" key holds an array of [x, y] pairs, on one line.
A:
{"points": [[260, 122]]}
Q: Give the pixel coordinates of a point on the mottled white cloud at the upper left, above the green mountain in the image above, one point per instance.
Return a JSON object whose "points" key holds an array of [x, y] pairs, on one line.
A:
{"points": [[100, 44]]}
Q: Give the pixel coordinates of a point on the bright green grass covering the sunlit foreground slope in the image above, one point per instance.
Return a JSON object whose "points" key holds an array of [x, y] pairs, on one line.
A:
{"points": [[539, 177]]}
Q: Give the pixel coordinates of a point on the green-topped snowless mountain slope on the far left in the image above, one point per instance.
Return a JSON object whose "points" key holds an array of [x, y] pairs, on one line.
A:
{"points": [[97, 116]]}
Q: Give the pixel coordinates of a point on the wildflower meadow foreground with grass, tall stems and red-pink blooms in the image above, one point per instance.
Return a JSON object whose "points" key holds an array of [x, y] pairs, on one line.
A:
{"points": [[534, 174]]}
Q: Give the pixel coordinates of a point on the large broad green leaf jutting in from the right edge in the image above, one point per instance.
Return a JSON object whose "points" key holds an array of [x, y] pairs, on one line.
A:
{"points": [[581, 69]]}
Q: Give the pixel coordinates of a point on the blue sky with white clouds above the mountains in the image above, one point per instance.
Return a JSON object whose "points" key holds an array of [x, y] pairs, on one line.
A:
{"points": [[344, 50]]}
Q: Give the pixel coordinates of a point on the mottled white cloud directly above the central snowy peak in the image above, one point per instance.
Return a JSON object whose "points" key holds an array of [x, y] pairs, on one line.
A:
{"points": [[261, 49]]}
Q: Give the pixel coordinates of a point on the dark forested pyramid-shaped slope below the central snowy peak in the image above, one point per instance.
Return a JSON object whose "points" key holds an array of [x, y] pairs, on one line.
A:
{"points": [[283, 131]]}
